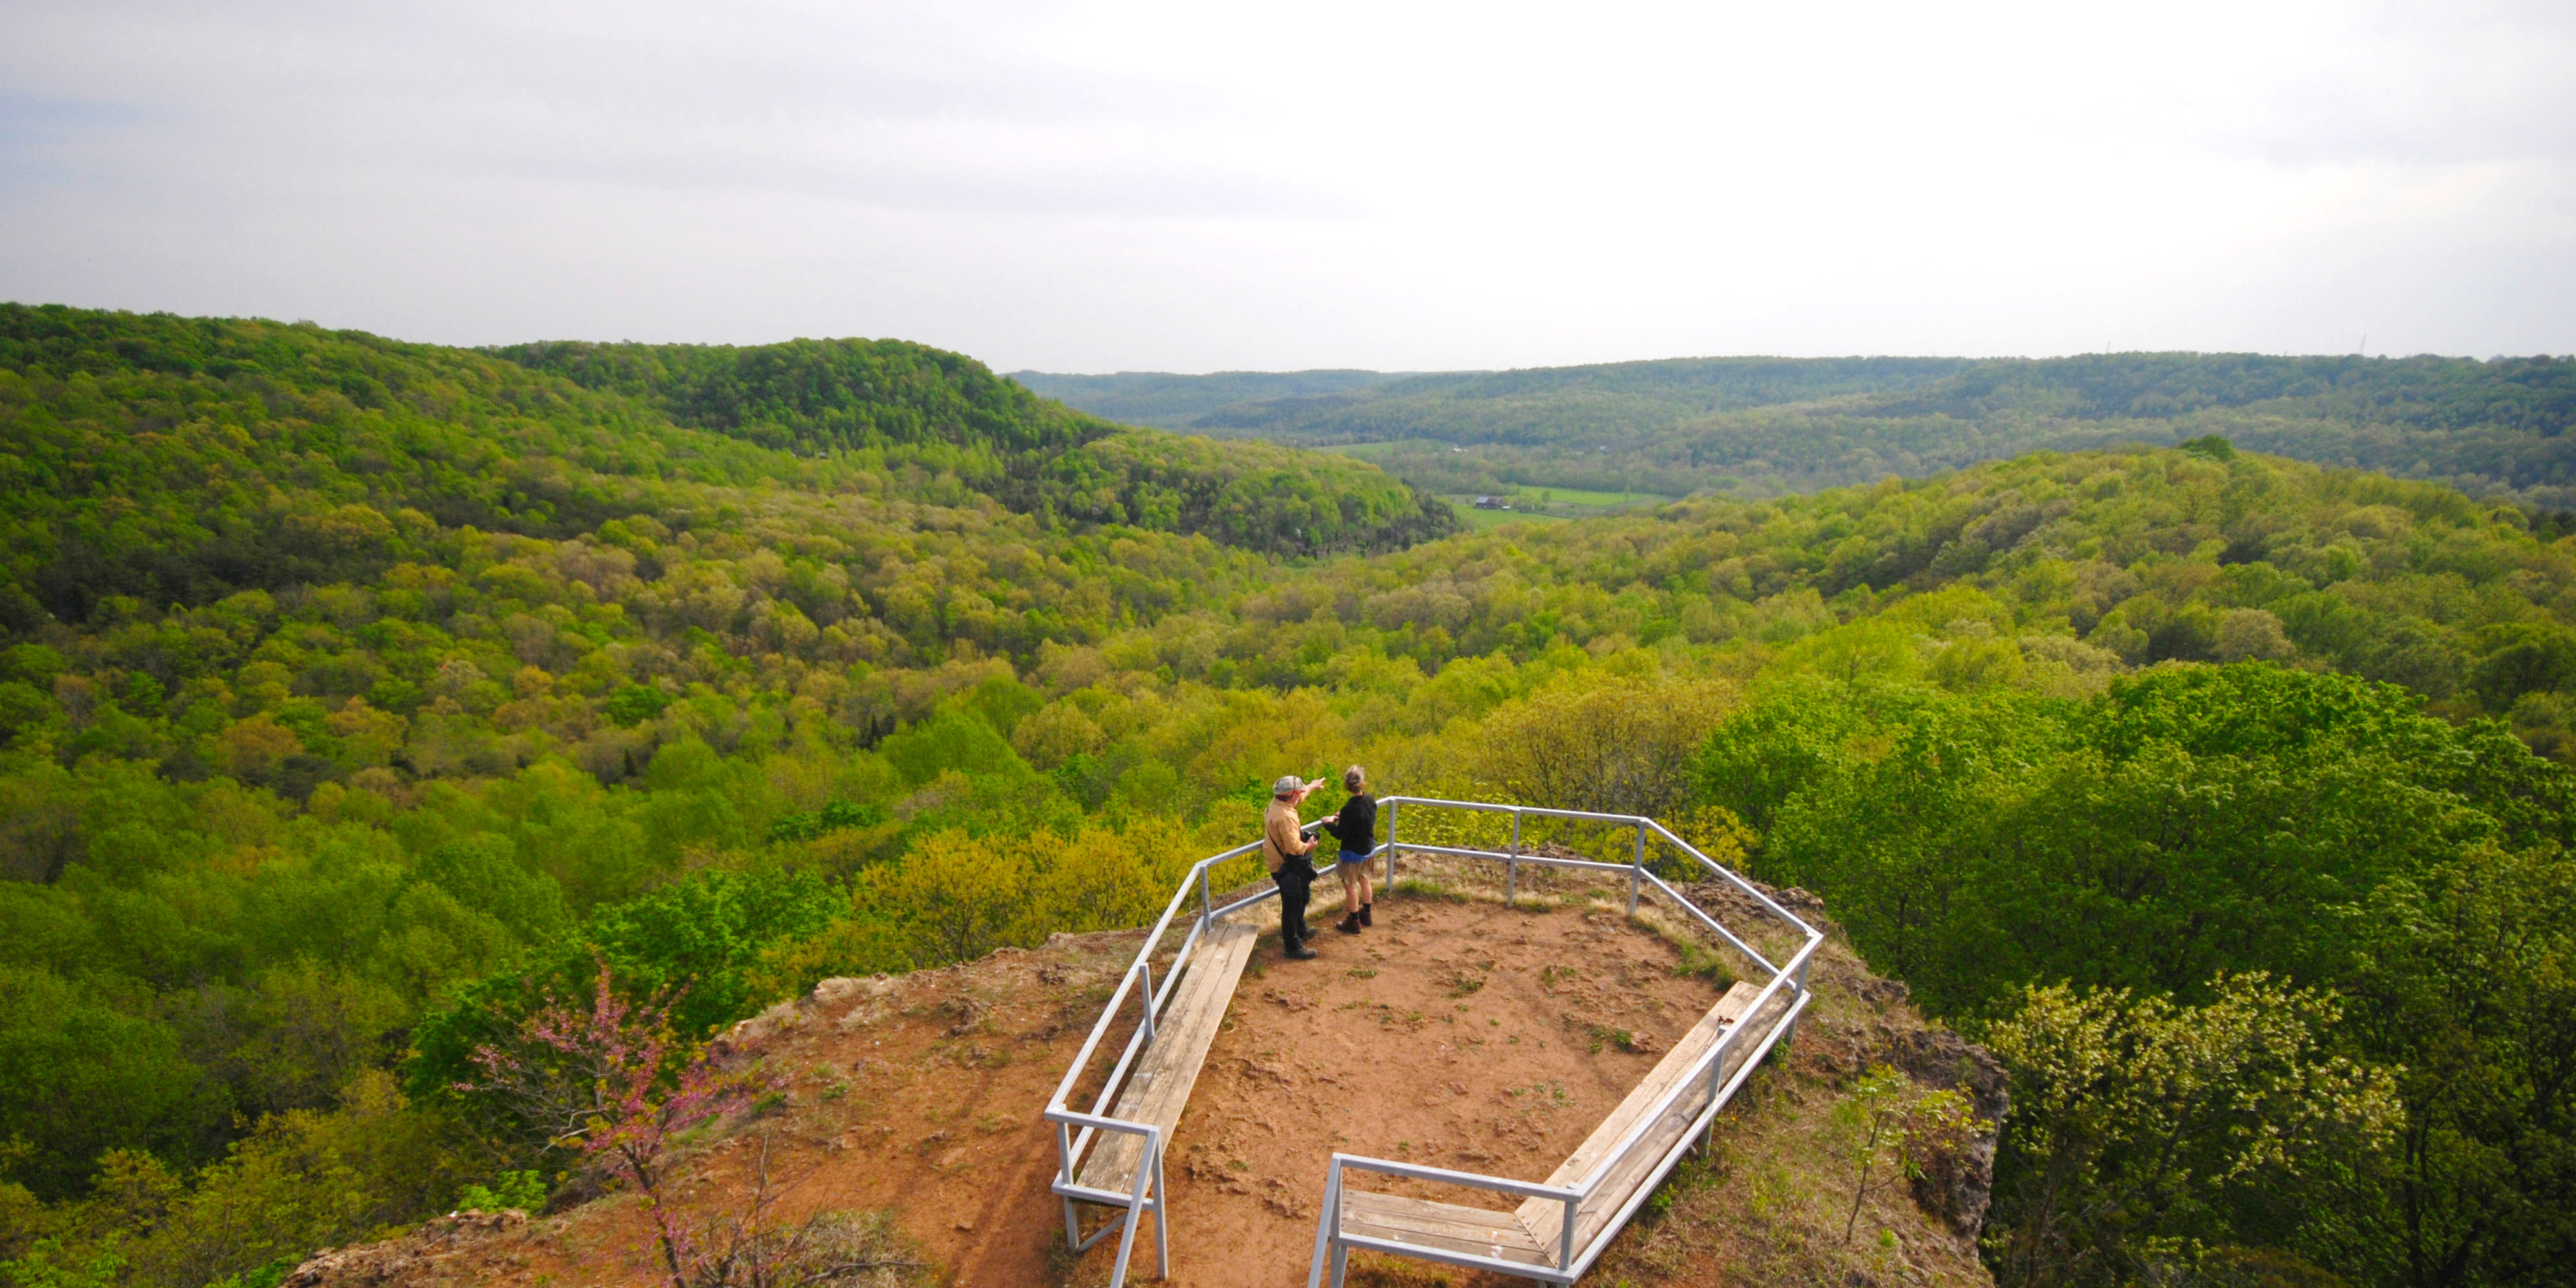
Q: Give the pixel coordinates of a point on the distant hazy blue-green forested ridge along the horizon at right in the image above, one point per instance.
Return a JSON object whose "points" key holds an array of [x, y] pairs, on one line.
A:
{"points": [[1766, 426]]}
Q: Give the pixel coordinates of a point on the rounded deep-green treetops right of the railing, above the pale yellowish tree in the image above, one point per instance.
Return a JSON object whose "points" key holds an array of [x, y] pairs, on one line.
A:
{"points": [[2175, 826]]}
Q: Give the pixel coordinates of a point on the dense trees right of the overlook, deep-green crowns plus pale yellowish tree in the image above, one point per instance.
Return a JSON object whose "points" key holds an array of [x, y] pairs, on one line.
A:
{"points": [[2145, 844]]}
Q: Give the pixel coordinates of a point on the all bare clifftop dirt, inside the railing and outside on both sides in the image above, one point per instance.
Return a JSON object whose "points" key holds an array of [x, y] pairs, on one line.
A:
{"points": [[1457, 1032]]}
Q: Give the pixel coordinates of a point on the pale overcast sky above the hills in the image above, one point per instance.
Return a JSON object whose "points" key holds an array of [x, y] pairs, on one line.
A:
{"points": [[1189, 187]]}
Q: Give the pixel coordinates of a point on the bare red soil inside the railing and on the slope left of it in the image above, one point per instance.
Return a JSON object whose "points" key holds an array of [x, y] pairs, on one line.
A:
{"points": [[1454, 1032]]}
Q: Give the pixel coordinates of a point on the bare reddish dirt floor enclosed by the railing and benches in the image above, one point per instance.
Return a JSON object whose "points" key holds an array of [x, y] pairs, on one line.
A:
{"points": [[1452, 1034]]}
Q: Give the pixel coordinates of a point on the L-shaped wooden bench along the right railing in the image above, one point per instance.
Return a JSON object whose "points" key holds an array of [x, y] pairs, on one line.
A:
{"points": [[1534, 1233]]}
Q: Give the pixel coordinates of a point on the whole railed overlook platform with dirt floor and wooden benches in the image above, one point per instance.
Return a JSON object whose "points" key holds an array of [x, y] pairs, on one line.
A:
{"points": [[1567, 1021]]}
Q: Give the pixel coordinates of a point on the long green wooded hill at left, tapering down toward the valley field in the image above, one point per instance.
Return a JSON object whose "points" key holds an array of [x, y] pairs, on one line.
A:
{"points": [[179, 460]]}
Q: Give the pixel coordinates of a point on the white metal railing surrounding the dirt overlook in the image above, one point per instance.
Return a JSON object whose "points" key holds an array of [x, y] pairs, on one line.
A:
{"points": [[1333, 1243]]}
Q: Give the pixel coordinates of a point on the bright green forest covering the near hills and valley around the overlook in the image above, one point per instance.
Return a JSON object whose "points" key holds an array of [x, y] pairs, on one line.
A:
{"points": [[359, 697]]}
